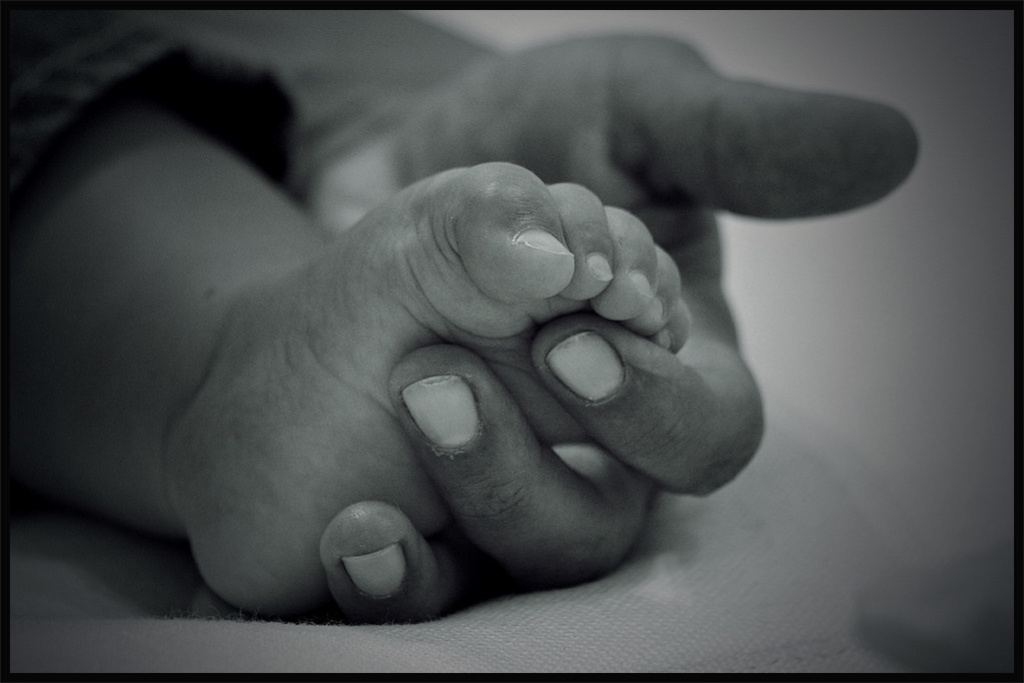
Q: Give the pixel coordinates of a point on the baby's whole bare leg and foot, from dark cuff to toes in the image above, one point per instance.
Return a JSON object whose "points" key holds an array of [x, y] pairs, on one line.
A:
{"points": [[192, 360]]}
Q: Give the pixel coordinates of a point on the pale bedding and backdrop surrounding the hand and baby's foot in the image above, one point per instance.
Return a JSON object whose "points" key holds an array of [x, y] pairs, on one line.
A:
{"points": [[884, 341]]}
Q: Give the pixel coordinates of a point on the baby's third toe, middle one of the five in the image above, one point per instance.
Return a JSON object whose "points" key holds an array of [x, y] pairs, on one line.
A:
{"points": [[635, 270]]}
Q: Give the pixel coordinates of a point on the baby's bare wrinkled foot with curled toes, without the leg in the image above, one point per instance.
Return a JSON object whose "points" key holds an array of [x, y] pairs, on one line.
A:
{"points": [[294, 422]]}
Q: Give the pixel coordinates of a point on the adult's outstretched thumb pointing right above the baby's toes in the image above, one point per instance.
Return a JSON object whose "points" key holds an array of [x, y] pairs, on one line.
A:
{"points": [[748, 148]]}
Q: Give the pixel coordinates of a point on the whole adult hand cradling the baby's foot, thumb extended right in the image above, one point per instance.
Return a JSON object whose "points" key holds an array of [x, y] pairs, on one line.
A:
{"points": [[647, 125]]}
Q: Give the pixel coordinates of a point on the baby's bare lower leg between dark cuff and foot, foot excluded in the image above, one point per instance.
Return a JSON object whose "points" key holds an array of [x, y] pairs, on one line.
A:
{"points": [[126, 247]]}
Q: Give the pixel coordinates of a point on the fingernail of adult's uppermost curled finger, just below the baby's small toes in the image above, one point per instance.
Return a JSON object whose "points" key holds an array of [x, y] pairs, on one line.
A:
{"points": [[587, 365]]}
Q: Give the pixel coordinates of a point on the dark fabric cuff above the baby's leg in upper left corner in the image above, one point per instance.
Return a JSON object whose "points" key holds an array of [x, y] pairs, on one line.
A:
{"points": [[64, 61]]}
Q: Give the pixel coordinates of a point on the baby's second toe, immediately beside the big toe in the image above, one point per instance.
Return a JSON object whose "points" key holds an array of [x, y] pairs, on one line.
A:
{"points": [[586, 228]]}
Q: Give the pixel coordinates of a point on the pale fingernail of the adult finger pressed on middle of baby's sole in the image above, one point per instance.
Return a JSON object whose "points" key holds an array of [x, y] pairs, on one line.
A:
{"points": [[444, 409]]}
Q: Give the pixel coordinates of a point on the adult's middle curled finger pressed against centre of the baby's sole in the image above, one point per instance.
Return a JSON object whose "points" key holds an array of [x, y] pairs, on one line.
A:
{"points": [[548, 521]]}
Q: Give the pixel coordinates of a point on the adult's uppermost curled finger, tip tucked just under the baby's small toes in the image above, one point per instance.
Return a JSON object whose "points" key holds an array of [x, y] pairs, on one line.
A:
{"points": [[690, 420]]}
